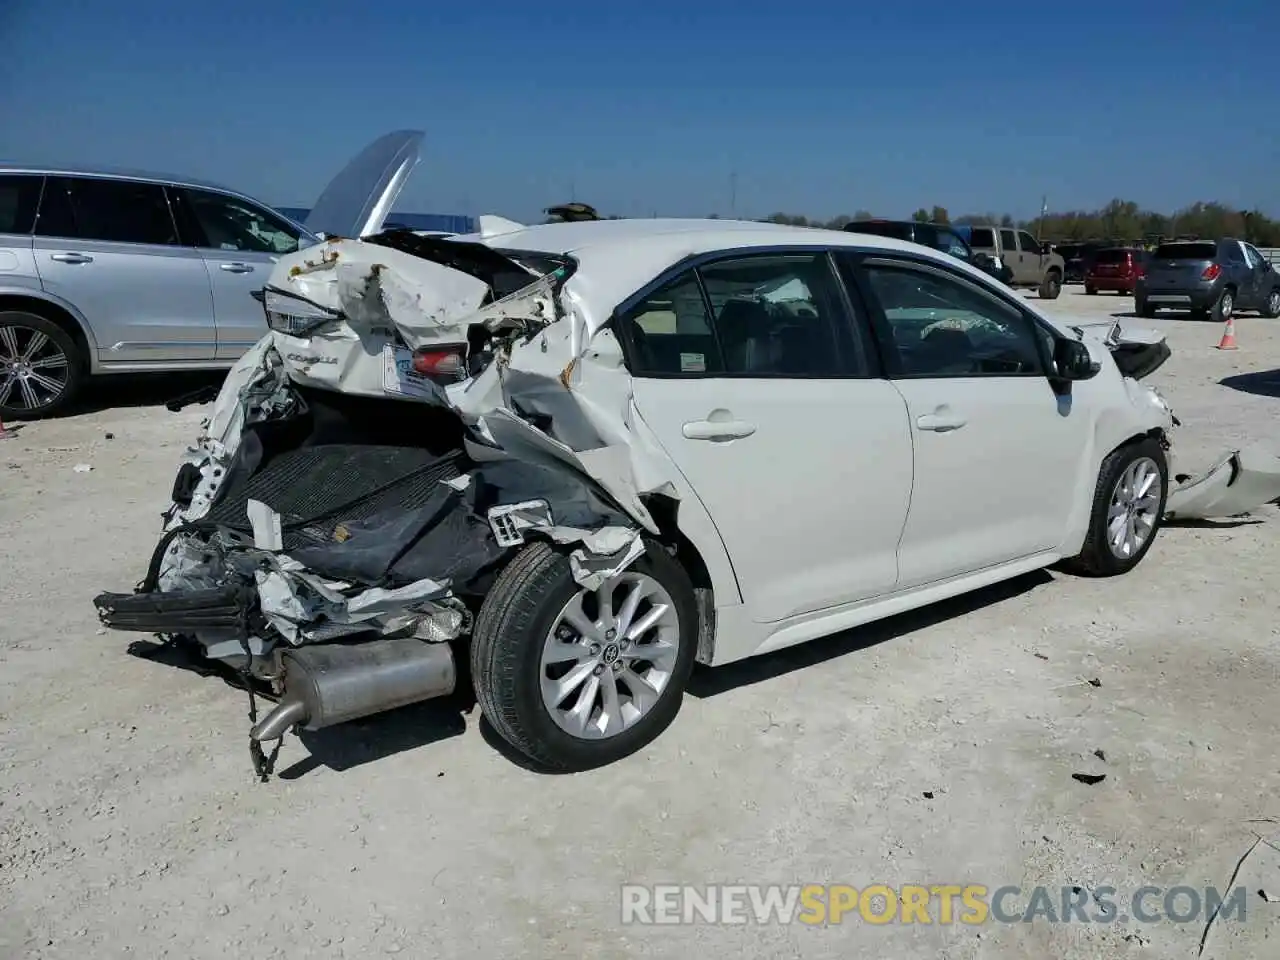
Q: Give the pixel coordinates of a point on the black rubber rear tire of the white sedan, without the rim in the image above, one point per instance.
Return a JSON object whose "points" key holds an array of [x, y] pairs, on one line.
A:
{"points": [[506, 659]]}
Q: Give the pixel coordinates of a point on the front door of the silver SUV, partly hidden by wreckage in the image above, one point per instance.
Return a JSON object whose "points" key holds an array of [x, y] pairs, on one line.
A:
{"points": [[240, 243]]}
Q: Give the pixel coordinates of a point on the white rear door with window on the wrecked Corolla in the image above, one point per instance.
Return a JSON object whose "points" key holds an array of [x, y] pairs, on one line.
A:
{"points": [[764, 396]]}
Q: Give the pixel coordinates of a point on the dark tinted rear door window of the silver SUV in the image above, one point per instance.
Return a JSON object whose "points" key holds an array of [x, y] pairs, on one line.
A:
{"points": [[93, 209]]}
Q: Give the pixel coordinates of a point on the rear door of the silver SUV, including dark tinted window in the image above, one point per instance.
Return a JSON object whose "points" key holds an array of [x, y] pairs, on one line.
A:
{"points": [[111, 249]]}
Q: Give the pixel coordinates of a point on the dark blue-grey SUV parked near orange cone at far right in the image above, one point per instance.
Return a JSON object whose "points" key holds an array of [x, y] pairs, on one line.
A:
{"points": [[1210, 280]]}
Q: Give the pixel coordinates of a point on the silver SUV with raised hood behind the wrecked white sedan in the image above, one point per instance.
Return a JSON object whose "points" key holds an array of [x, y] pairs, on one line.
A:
{"points": [[122, 273]]}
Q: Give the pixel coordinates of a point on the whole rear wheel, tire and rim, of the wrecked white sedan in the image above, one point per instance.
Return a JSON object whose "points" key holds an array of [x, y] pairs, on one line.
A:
{"points": [[577, 679]]}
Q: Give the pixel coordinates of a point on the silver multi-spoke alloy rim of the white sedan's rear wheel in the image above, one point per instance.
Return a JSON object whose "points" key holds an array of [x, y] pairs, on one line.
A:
{"points": [[610, 657]]}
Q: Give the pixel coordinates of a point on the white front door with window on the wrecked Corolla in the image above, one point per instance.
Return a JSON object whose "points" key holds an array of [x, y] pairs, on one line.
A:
{"points": [[998, 454]]}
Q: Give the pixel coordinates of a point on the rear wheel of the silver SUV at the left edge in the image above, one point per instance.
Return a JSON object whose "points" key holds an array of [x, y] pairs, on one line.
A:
{"points": [[19, 328]]}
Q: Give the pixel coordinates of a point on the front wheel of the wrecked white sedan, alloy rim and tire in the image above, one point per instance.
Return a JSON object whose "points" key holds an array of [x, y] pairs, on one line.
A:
{"points": [[1128, 509]]}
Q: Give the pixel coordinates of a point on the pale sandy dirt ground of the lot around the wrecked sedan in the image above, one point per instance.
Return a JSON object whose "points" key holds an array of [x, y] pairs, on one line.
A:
{"points": [[938, 748]]}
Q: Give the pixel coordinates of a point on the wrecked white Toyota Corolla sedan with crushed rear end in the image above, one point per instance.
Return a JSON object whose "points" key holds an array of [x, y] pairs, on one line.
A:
{"points": [[551, 449]]}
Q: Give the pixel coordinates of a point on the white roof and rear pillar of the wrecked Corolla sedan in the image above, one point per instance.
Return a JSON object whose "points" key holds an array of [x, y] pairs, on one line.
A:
{"points": [[619, 258]]}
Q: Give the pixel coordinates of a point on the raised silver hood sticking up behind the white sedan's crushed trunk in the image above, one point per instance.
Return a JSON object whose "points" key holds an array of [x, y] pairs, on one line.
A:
{"points": [[359, 199]]}
